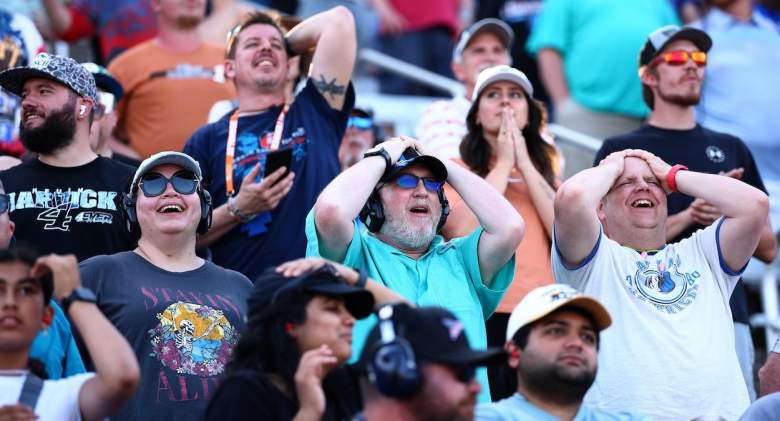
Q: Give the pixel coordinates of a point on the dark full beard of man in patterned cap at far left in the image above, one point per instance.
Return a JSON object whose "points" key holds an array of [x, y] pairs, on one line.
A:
{"points": [[54, 134]]}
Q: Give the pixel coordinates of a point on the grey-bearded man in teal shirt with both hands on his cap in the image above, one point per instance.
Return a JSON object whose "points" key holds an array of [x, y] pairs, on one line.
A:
{"points": [[397, 243]]}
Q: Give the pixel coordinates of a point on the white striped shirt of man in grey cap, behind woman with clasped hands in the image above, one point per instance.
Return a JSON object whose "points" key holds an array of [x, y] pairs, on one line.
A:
{"points": [[442, 126]]}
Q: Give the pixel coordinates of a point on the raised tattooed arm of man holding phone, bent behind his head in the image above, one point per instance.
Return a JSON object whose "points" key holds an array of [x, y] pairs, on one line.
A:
{"points": [[332, 35]]}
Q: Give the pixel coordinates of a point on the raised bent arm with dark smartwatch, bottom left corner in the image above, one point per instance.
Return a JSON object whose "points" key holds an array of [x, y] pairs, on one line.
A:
{"points": [[116, 368]]}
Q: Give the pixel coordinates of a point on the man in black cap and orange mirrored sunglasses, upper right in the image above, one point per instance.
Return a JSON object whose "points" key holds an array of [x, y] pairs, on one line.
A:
{"points": [[672, 65]]}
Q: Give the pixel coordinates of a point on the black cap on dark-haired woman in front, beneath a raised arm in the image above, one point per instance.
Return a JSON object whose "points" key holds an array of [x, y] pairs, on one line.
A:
{"points": [[273, 290]]}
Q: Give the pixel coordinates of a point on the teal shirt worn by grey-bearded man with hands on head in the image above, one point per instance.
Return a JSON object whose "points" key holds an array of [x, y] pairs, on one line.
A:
{"points": [[447, 275]]}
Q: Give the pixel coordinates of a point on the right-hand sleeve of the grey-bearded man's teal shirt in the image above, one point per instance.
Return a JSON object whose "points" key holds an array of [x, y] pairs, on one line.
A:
{"points": [[489, 296]]}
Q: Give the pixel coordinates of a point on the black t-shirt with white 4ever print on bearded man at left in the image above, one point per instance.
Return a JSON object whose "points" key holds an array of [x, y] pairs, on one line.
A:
{"points": [[70, 209]]}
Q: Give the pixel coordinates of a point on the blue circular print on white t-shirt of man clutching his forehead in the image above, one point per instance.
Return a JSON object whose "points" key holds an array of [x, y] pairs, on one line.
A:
{"points": [[660, 282]]}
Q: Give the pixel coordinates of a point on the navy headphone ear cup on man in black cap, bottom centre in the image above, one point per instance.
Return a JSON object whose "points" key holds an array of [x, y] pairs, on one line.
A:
{"points": [[393, 369]]}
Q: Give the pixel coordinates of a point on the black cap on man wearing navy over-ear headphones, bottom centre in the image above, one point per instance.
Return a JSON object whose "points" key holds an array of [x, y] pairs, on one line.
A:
{"points": [[435, 335]]}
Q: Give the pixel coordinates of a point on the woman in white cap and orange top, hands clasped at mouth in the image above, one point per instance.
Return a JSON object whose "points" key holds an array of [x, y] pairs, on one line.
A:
{"points": [[504, 145]]}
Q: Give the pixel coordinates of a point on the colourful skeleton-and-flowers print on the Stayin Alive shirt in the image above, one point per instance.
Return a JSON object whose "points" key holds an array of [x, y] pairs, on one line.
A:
{"points": [[193, 339]]}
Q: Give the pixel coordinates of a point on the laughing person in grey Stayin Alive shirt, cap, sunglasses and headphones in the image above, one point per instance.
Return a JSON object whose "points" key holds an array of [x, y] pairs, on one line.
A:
{"points": [[182, 314]]}
